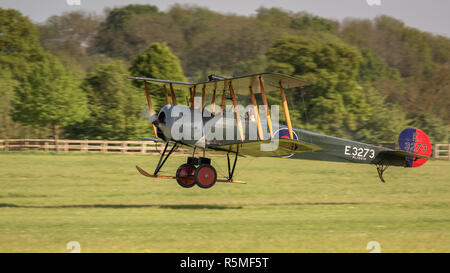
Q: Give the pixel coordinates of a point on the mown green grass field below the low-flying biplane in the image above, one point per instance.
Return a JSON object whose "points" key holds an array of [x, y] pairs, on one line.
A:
{"points": [[101, 201]]}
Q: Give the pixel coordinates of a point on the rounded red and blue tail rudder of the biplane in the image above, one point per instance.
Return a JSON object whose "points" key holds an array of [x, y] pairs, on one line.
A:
{"points": [[415, 141]]}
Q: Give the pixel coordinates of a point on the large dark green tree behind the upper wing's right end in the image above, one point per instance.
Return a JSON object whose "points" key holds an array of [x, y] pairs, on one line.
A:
{"points": [[334, 99]]}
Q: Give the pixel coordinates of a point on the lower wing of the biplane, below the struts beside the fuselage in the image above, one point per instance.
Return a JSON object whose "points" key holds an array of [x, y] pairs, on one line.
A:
{"points": [[285, 147]]}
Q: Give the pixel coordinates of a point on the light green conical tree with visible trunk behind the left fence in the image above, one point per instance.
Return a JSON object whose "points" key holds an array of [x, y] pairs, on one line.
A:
{"points": [[49, 96]]}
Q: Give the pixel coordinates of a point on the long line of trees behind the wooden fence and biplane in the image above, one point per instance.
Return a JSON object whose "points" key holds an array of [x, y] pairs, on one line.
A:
{"points": [[367, 79]]}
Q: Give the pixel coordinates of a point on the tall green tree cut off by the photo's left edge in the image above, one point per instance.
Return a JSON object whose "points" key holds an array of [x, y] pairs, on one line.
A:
{"points": [[20, 56]]}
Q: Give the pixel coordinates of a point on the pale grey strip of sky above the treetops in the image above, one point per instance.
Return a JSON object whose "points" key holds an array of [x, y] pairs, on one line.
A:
{"points": [[432, 16]]}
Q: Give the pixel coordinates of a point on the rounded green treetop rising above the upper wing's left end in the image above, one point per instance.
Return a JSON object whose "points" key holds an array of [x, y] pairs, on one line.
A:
{"points": [[157, 62]]}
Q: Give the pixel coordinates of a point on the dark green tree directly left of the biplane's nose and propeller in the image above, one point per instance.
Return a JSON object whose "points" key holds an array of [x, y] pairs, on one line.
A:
{"points": [[116, 106]]}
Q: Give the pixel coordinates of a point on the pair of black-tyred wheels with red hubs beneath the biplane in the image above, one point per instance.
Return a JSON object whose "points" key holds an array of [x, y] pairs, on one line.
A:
{"points": [[205, 176]]}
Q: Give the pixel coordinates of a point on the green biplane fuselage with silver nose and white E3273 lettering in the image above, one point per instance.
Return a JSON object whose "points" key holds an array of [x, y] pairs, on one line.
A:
{"points": [[205, 130]]}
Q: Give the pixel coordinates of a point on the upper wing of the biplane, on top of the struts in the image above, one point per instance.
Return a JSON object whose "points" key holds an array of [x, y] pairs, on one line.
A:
{"points": [[240, 84]]}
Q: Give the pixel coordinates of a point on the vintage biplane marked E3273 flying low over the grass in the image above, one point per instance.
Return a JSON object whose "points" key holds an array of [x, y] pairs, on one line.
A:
{"points": [[254, 132]]}
